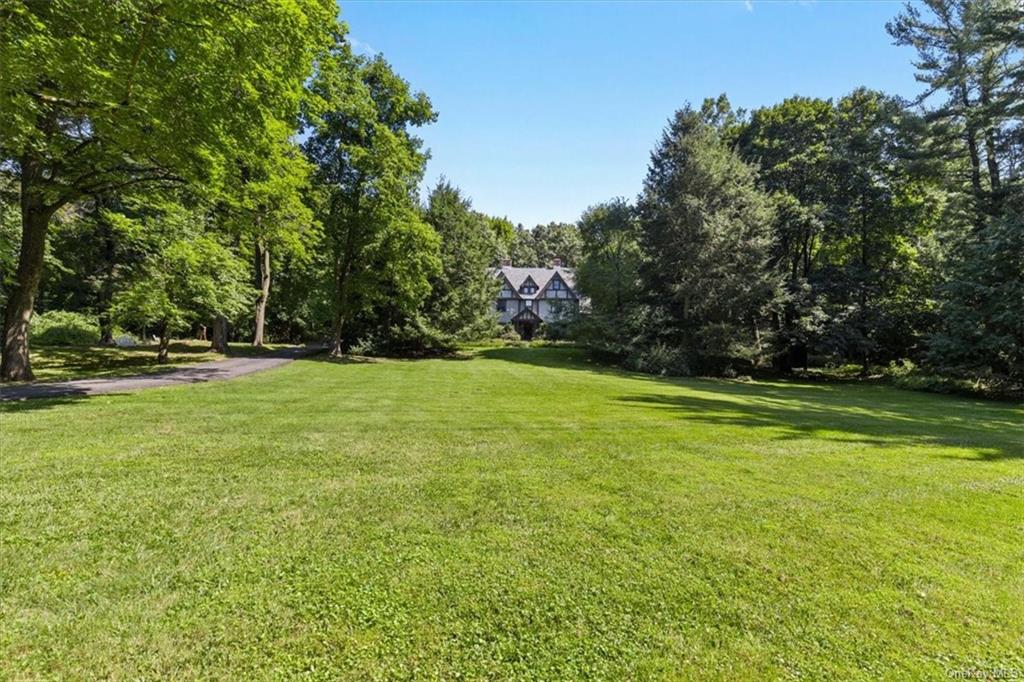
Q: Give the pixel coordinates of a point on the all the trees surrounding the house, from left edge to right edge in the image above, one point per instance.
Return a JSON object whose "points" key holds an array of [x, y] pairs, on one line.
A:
{"points": [[165, 169]]}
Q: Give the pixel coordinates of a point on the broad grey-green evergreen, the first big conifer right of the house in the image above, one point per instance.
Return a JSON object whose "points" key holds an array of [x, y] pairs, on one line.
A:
{"points": [[707, 242]]}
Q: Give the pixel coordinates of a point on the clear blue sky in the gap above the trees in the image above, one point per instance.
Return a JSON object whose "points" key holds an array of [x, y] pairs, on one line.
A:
{"points": [[547, 108]]}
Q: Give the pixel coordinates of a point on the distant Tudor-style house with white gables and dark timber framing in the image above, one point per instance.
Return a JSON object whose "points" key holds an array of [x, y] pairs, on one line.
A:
{"points": [[531, 296]]}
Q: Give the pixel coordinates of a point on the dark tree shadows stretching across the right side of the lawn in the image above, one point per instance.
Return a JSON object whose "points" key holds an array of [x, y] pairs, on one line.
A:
{"points": [[870, 415]]}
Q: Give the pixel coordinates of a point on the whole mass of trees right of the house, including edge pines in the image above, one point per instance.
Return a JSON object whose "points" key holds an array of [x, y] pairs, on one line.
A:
{"points": [[867, 230]]}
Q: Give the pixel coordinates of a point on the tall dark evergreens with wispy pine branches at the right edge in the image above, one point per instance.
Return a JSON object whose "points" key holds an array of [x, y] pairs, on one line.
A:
{"points": [[973, 53]]}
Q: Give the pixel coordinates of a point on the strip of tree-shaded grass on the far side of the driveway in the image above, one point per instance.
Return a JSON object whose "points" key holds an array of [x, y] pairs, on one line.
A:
{"points": [[61, 363]]}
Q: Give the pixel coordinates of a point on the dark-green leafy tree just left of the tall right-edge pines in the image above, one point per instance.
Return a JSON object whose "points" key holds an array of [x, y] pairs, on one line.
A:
{"points": [[877, 217]]}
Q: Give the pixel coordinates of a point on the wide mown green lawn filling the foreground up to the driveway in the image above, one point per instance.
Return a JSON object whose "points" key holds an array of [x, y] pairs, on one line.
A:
{"points": [[521, 515]]}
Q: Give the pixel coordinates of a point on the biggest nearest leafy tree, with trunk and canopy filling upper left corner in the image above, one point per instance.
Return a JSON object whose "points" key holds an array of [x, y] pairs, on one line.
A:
{"points": [[98, 97]]}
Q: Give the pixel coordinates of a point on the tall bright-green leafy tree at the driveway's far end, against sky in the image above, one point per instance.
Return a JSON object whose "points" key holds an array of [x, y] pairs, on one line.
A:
{"points": [[380, 252]]}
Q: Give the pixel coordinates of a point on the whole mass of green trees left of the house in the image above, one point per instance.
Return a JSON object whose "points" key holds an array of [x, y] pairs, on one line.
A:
{"points": [[151, 179]]}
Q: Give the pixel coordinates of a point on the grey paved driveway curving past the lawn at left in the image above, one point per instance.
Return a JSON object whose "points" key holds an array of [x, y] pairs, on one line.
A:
{"points": [[214, 371]]}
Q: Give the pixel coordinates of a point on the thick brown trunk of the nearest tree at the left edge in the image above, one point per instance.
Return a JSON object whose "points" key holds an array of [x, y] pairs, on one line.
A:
{"points": [[35, 222]]}
